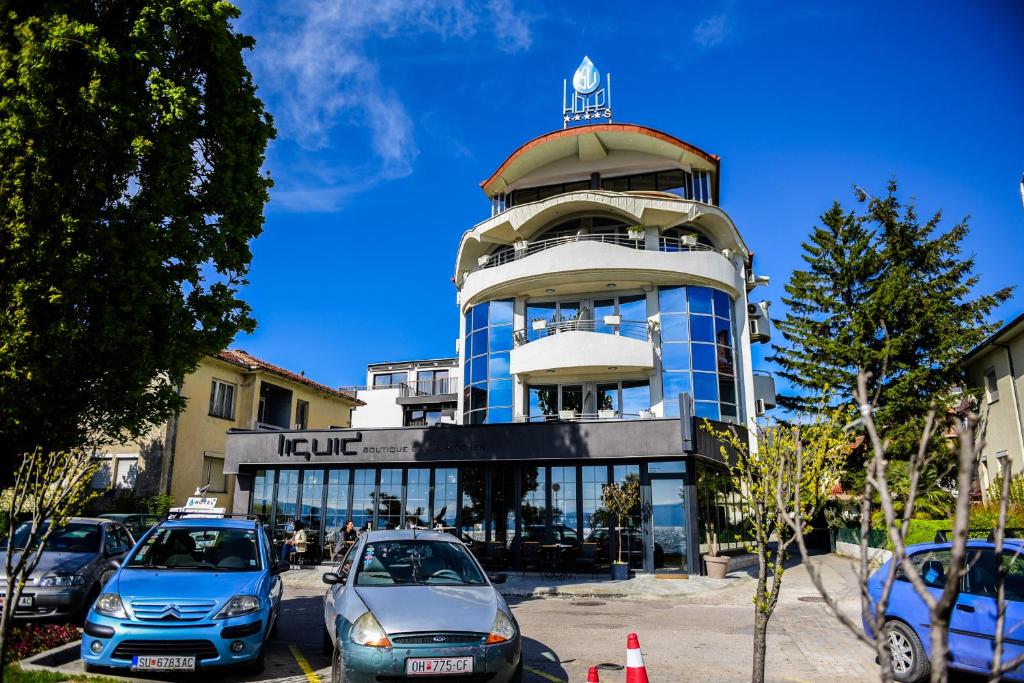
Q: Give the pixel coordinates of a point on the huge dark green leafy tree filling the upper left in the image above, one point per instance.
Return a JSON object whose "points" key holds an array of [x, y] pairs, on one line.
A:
{"points": [[132, 142]]}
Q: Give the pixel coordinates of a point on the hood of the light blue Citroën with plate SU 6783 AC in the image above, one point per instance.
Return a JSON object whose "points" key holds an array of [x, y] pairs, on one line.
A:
{"points": [[163, 584]]}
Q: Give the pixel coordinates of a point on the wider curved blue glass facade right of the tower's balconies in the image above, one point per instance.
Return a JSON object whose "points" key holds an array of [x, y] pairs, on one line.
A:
{"points": [[699, 352]]}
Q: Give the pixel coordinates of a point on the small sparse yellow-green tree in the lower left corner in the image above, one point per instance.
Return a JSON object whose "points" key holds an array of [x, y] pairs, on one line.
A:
{"points": [[49, 489]]}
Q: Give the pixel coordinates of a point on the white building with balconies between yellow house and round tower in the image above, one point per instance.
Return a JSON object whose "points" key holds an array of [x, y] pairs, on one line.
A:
{"points": [[408, 394]]}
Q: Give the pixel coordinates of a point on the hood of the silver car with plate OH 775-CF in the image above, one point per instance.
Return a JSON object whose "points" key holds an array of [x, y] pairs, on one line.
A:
{"points": [[419, 609]]}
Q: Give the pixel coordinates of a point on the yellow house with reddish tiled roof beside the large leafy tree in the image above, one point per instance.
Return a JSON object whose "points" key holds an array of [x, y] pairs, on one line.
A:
{"points": [[233, 390]]}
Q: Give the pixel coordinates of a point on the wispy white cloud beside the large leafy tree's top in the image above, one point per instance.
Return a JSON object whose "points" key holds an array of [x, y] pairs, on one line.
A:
{"points": [[313, 62]]}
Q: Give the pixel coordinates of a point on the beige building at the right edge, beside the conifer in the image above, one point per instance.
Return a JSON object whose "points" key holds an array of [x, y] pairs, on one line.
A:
{"points": [[997, 367]]}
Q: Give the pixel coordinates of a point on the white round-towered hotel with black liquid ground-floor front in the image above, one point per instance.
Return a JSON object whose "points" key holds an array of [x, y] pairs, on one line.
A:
{"points": [[606, 314]]}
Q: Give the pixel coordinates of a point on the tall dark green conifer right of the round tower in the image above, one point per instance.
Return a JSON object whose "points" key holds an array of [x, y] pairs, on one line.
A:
{"points": [[888, 295]]}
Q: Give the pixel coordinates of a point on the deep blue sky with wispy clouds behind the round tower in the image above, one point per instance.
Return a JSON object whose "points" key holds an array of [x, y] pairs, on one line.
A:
{"points": [[391, 113]]}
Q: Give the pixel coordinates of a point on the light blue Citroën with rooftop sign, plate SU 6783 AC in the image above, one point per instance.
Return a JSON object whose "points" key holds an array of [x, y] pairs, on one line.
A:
{"points": [[193, 594]]}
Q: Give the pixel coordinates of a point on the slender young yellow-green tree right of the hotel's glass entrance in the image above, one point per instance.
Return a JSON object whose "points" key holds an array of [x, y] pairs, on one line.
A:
{"points": [[759, 476]]}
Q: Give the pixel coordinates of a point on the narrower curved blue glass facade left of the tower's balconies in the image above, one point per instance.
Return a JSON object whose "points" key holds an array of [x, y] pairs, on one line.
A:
{"points": [[488, 385]]}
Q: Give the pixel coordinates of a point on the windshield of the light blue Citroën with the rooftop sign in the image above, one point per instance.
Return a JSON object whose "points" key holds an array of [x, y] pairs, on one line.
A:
{"points": [[196, 548]]}
